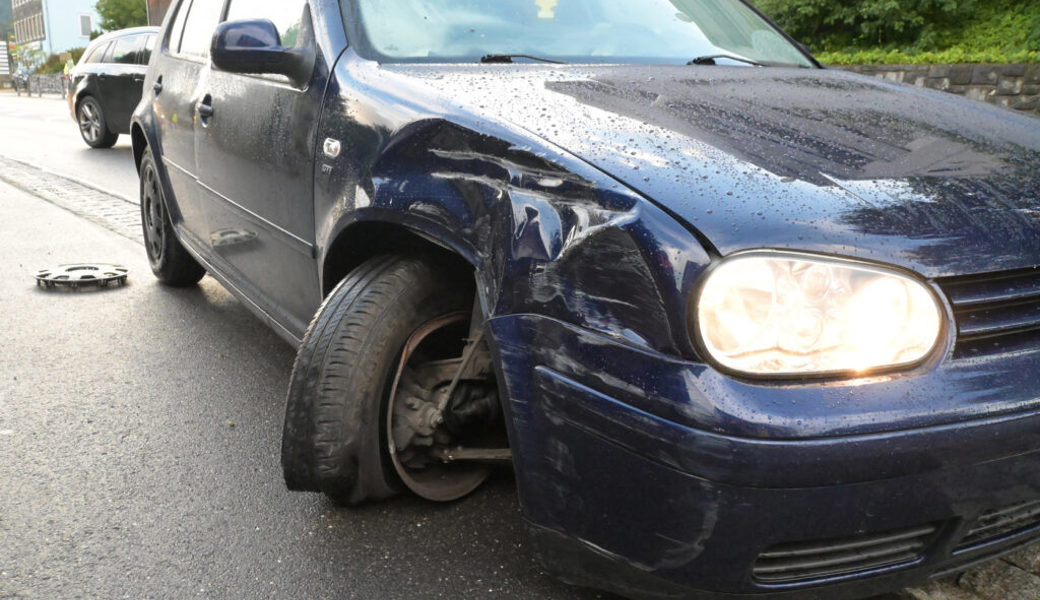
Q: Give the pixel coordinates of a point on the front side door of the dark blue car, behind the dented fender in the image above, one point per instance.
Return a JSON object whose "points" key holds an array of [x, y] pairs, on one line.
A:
{"points": [[256, 170]]}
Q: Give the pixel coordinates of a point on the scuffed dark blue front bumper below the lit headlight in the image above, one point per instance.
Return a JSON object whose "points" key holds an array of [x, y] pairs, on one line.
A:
{"points": [[621, 495]]}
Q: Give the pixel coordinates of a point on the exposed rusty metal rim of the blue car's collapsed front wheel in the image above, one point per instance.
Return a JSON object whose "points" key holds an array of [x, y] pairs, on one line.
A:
{"points": [[441, 483]]}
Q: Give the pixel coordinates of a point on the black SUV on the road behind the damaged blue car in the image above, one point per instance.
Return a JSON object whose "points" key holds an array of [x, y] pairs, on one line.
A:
{"points": [[107, 85]]}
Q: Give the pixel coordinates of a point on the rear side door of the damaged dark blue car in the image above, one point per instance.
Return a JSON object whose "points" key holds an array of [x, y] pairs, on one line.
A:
{"points": [[179, 69]]}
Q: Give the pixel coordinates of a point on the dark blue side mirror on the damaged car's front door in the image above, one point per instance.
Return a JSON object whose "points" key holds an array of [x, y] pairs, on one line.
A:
{"points": [[254, 47]]}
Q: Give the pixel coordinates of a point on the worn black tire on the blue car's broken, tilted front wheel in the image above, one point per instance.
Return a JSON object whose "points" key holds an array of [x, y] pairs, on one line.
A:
{"points": [[335, 439]]}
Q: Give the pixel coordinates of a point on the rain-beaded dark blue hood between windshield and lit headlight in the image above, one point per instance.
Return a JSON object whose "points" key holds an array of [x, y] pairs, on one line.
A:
{"points": [[800, 160]]}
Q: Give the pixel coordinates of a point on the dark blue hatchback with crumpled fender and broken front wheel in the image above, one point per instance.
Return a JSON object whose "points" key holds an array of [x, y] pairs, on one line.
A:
{"points": [[743, 326]]}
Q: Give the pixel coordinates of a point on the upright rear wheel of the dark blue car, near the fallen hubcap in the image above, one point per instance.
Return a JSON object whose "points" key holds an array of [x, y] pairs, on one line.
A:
{"points": [[171, 263]]}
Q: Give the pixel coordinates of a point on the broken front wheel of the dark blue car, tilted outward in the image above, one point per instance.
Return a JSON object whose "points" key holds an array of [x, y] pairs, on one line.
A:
{"points": [[369, 406]]}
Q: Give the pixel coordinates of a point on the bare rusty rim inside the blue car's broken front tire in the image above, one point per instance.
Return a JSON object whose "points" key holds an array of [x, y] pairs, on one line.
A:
{"points": [[437, 481]]}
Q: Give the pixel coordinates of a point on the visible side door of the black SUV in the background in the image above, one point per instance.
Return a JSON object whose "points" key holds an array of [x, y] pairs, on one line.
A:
{"points": [[119, 82]]}
